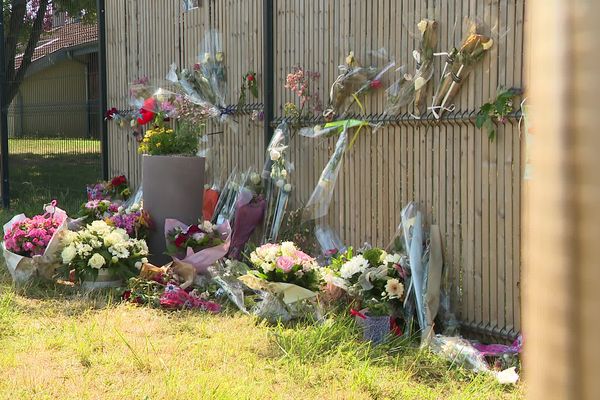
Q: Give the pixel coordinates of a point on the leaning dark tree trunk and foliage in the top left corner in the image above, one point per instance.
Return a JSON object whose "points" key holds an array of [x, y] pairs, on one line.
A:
{"points": [[25, 22]]}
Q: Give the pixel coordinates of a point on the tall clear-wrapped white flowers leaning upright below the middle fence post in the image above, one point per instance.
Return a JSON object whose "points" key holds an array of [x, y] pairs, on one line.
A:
{"points": [[276, 175]]}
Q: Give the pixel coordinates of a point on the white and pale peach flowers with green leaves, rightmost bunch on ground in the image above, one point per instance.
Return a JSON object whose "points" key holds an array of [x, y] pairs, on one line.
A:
{"points": [[374, 277]]}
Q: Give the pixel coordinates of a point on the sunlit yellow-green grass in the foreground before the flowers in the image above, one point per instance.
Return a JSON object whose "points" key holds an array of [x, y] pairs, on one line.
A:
{"points": [[58, 344]]}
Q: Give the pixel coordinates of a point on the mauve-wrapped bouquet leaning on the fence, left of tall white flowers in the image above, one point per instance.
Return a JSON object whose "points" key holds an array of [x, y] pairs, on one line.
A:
{"points": [[249, 214]]}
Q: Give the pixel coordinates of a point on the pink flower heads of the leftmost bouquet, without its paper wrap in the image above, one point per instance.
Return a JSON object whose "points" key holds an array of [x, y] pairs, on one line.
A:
{"points": [[30, 236]]}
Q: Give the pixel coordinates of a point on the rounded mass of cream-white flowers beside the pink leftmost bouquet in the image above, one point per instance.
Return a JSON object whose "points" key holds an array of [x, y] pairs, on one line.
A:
{"points": [[101, 246]]}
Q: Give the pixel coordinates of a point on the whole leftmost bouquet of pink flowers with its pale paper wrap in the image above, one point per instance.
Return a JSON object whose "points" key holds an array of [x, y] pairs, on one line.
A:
{"points": [[30, 244]]}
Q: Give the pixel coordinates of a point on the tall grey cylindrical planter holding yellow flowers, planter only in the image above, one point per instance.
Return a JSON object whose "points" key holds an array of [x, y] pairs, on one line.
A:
{"points": [[173, 188]]}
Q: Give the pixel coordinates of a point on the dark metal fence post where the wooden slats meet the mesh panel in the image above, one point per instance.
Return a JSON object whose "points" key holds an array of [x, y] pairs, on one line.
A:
{"points": [[103, 90]]}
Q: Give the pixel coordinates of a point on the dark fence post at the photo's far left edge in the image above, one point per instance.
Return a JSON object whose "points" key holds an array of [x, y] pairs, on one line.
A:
{"points": [[3, 117]]}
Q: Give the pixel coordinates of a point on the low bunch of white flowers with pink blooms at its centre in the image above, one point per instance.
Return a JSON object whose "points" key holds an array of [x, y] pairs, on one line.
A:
{"points": [[286, 263]]}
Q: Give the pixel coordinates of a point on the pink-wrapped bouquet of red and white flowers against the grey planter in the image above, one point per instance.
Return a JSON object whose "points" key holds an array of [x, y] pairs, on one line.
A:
{"points": [[200, 245]]}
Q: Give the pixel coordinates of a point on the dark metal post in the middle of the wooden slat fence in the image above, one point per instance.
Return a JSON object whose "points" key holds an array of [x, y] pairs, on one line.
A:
{"points": [[268, 69]]}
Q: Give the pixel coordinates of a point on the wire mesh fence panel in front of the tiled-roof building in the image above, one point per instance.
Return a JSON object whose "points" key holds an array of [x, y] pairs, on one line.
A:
{"points": [[54, 114]]}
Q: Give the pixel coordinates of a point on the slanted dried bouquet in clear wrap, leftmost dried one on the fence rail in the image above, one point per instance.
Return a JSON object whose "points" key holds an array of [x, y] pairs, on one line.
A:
{"points": [[355, 81]]}
